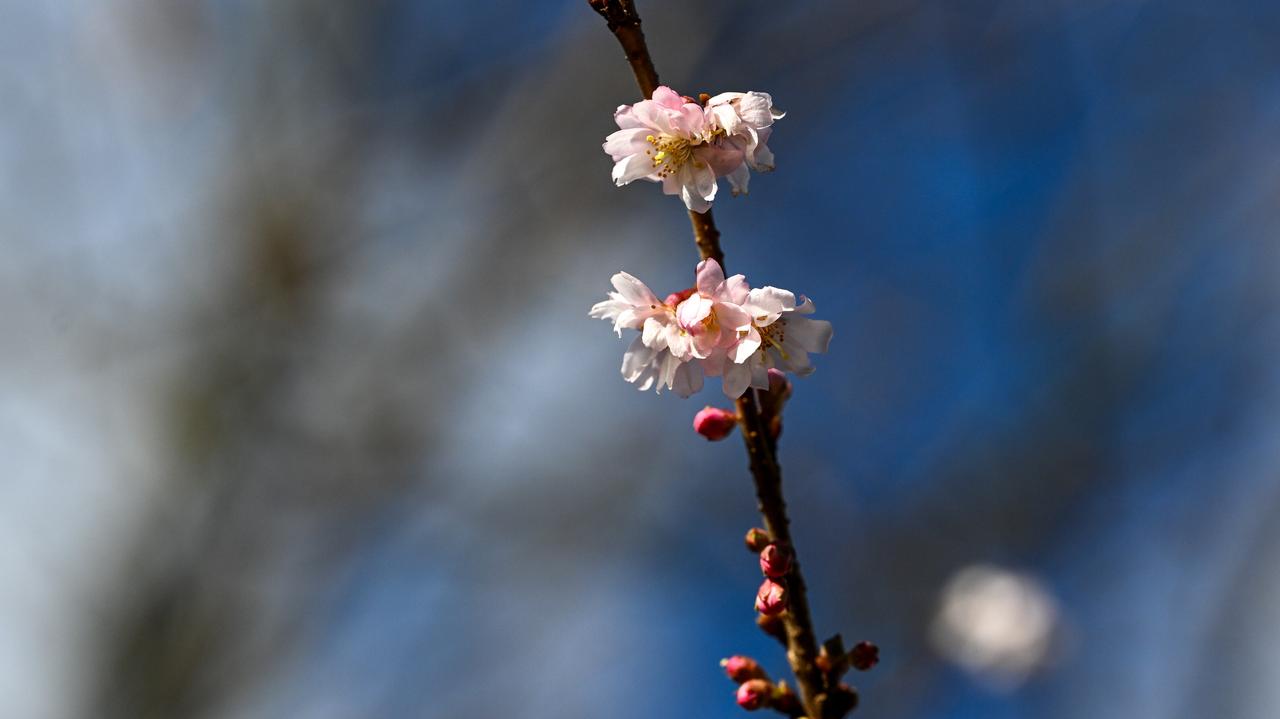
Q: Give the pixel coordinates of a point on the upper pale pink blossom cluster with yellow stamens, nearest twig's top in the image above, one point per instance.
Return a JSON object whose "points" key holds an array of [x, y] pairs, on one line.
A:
{"points": [[687, 146]]}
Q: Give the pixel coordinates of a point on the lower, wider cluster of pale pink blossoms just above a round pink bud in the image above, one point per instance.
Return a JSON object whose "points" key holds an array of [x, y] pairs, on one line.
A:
{"points": [[719, 328]]}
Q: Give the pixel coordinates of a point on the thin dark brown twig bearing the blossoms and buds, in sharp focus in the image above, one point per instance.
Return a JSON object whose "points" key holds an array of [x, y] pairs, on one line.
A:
{"points": [[802, 645]]}
